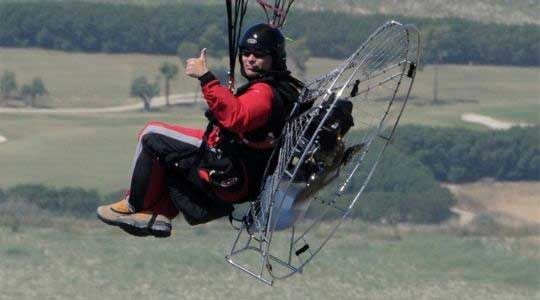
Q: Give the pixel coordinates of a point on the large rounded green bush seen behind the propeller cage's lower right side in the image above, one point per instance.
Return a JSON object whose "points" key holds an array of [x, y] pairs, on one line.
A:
{"points": [[402, 189]]}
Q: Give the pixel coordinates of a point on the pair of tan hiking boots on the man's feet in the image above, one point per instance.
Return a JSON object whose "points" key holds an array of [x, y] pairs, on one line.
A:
{"points": [[138, 224]]}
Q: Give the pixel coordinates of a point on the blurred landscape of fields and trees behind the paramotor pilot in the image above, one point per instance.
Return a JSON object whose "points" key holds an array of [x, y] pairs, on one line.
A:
{"points": [[453, 211]]}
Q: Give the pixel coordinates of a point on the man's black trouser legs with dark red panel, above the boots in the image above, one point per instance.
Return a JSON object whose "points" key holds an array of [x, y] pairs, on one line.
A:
{"points": [[167, 168]]}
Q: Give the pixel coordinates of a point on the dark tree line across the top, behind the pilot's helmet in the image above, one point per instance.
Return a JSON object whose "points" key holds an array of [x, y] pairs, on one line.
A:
{"points": [[184, 28]]}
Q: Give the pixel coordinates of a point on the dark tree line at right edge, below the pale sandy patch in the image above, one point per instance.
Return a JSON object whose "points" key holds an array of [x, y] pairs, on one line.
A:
{"points": [[459, 155]]}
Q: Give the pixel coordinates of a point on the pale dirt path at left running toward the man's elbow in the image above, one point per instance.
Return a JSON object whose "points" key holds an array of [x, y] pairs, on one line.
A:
{"points": [[156, 102]]}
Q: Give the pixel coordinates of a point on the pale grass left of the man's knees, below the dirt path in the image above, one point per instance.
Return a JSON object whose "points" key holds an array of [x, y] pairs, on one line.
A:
{"points": [[91, 152]]}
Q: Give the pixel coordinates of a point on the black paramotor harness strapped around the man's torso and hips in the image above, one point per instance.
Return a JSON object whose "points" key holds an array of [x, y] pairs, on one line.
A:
{"points": [[232, 179]]}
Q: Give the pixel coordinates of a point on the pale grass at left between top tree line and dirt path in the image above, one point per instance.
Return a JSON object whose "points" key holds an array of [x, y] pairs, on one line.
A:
{"points": [[89, 80]]}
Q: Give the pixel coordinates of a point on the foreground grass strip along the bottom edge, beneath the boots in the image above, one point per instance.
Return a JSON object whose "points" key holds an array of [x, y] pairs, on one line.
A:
{"points": [[93, 261]]}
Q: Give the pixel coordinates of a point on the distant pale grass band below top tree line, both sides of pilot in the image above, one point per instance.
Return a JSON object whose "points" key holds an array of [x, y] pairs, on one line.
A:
{"points": [[98, 80]]}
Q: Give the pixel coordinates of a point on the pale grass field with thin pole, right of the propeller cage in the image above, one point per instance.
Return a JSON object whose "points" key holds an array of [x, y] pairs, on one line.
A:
{"points": [[508, 93]]}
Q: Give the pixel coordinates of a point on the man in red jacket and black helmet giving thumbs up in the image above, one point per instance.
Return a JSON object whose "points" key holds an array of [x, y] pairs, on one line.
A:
{"points": [[202, 173]]}
